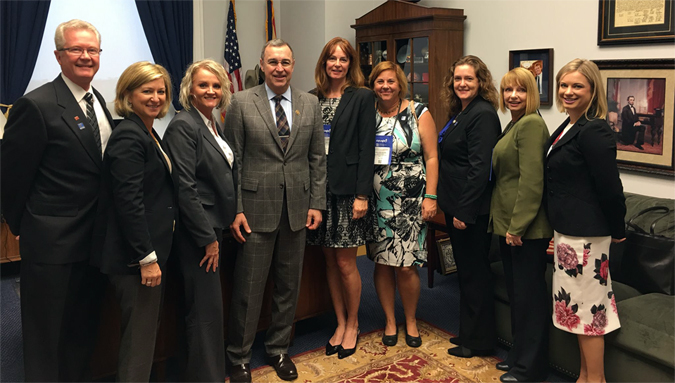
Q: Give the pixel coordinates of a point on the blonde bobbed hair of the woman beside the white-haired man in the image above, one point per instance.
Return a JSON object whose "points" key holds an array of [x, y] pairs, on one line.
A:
{"points": [[134, 77]]}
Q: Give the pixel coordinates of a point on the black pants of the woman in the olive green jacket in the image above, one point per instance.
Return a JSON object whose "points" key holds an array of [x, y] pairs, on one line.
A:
{"points": [[524, 269]]}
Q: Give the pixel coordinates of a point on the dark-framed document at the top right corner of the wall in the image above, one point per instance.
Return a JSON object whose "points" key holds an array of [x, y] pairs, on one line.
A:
{"points": [[635, 22]]}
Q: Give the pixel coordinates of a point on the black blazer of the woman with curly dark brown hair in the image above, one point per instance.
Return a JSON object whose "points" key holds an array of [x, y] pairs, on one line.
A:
{"points": [[465, 159]]}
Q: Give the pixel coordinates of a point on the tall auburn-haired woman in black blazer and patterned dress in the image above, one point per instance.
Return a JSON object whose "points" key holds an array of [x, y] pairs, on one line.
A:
{"points": [[349, 125]]}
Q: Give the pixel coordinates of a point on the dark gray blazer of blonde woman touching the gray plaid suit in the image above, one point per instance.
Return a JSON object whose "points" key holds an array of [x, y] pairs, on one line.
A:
{"points": [[206, 182]]}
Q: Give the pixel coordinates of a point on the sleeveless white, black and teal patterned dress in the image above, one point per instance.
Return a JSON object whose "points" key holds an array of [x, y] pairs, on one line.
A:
{"points": [[400, 232]]}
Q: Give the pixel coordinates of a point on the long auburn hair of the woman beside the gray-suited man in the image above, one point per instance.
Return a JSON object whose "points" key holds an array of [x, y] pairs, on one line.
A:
{"points": [[354, 75]]}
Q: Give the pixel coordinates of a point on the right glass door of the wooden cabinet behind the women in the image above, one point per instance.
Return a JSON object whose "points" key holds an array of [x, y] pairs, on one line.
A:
{"points": [[412, 55]]}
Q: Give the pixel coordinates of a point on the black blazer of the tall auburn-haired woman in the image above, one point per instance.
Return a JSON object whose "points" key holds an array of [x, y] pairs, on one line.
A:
{"points": [[351, 152]]}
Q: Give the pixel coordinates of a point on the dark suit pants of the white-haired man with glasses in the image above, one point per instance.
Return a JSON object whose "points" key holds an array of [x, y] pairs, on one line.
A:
{"points": [[60, 306]]}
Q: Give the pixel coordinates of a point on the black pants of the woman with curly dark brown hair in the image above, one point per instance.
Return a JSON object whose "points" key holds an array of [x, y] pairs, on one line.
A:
{"points": [[471, 248]]}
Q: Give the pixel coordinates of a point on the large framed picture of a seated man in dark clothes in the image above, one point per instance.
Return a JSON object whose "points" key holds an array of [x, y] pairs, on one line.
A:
{"points": [[641, 104]]}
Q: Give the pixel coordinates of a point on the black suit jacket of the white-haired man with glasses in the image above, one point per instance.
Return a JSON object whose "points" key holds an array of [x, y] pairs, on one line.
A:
{"points": [[51, 171]]}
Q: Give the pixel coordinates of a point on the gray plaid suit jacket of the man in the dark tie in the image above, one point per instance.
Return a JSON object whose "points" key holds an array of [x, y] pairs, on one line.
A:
{"points": [[265, 172]]}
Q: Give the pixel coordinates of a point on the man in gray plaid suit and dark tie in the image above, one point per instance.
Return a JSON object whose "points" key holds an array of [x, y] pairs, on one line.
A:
{"points": [[278, 140]]}
